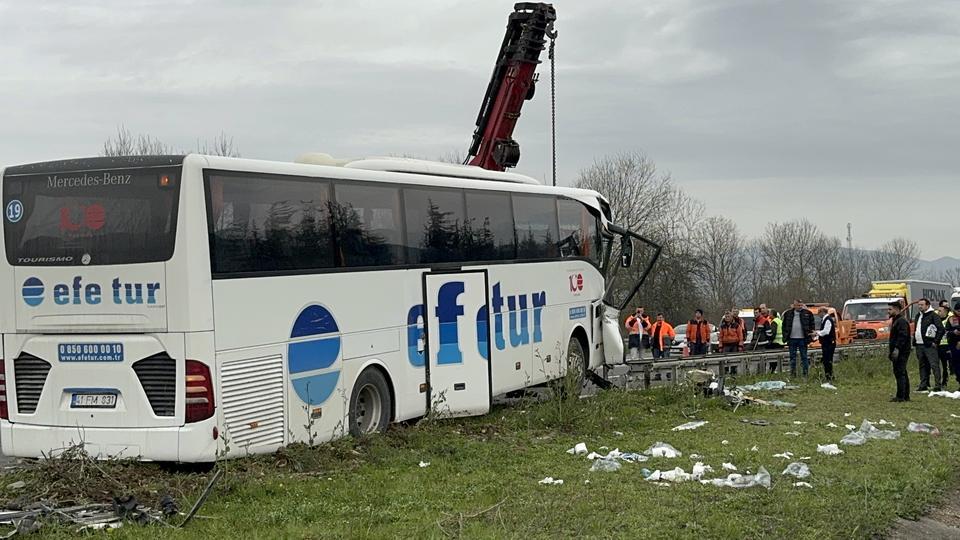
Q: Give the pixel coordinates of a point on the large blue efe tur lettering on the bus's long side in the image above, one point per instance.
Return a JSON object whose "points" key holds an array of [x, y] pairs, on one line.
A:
{"points": [[448, 312]]}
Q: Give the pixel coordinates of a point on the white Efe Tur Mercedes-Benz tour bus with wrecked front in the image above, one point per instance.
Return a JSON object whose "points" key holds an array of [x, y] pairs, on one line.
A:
{"points": [[184, 308]]}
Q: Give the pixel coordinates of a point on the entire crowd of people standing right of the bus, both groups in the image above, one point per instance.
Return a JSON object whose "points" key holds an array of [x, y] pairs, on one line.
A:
{"points": [[935, 336]]}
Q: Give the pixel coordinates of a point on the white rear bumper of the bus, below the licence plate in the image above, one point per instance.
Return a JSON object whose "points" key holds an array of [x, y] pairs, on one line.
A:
{"points": [[191, 443]]}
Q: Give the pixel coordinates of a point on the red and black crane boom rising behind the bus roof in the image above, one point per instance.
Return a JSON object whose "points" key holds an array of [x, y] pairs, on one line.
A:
{"points": [[512, 83]]}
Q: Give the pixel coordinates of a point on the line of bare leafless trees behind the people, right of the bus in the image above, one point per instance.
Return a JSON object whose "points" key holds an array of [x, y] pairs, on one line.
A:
{"points": [[709, 263]]}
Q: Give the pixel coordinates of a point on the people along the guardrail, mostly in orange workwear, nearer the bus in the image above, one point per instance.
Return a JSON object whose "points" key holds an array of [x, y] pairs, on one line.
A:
{"points": [[796, 329]]}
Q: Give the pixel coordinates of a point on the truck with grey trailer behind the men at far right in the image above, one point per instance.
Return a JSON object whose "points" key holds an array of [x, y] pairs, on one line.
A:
{"points": [[869, 313]]}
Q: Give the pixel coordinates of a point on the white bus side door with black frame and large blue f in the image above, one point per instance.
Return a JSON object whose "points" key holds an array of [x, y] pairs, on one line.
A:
{"points": [[457, 342]]}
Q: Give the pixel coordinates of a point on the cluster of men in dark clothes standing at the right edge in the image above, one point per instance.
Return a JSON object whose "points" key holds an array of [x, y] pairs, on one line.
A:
{"points": [[935, 335]]}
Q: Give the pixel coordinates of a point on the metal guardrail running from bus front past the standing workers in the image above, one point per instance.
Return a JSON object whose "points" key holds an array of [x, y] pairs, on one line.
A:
{"points": [[649, 373]]}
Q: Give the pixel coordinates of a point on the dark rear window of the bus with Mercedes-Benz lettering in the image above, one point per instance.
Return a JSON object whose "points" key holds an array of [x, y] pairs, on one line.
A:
{"points": [[116, 216]]}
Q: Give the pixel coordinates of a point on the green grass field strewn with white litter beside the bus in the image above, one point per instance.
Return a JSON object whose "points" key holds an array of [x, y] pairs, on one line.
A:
{"points": [[482, 481]]}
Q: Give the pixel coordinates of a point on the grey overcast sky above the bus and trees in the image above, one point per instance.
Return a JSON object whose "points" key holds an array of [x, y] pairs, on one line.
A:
{"points": [[832, 110]]}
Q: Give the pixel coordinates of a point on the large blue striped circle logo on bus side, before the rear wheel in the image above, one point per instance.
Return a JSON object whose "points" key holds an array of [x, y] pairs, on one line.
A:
{"points": [[312, 355]]}
